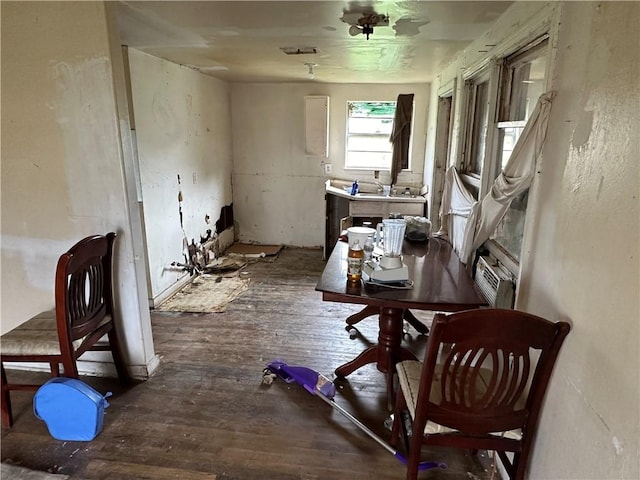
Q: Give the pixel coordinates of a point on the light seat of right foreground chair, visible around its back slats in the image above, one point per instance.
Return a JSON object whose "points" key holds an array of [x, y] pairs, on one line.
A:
{"points": [[409, 378]]}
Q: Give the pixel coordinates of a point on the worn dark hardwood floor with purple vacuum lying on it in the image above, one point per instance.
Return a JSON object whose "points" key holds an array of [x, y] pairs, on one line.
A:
{"points": [[205, 413]]}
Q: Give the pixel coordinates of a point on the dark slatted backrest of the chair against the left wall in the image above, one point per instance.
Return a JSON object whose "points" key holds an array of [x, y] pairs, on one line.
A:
{"points": [[83, 288]]}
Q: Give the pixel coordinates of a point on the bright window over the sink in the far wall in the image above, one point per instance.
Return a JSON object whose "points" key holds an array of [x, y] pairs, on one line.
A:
{"points": [[369, 126]]}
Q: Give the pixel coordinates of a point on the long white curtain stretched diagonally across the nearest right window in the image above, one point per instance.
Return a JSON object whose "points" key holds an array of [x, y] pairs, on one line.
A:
{"points": [[514, 179]]}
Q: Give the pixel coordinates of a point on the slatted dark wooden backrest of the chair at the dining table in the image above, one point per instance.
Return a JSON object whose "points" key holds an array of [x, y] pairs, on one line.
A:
{"points": [[487, 370]]}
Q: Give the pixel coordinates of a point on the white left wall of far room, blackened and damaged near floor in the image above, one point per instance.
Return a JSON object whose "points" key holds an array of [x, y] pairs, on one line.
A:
{"points": [[183, 128]]}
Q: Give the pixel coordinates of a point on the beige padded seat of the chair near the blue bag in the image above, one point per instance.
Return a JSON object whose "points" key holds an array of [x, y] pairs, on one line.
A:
{"points": [[37, 336]]}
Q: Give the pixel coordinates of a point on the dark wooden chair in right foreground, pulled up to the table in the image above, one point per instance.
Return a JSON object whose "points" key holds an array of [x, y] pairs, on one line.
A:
{"points": [[481, 385]]}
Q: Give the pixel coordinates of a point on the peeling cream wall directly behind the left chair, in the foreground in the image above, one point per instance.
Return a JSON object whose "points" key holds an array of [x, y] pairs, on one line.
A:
{"points": [[62, 175]]}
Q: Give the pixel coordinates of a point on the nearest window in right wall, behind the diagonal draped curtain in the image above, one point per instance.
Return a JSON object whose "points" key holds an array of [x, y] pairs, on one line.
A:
{"points": [[522, 81]]}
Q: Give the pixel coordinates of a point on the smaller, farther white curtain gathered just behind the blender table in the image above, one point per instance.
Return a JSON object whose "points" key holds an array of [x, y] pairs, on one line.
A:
{"points": [[455, 209]]}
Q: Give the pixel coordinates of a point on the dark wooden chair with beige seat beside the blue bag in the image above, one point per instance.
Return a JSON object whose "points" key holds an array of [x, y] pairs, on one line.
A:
{"points": [[83, 314]]}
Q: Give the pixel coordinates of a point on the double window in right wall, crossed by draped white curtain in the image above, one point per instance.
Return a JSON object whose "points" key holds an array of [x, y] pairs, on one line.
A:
{"points": [[498, 103]]}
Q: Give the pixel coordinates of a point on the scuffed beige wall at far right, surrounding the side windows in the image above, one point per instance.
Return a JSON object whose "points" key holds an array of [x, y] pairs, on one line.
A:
{"points": [[581, 249]]}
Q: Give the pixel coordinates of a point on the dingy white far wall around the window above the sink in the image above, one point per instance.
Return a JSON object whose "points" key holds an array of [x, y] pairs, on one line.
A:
{"points": [[278, 192]]}
